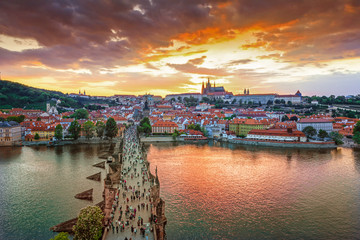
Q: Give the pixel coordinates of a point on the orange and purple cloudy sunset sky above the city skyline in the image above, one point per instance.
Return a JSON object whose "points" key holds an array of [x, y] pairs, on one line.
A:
{"points": [[161, 47]]}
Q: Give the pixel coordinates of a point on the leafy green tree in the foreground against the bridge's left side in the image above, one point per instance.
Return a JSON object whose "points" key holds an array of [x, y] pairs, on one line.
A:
{"points": [[89, 224]]}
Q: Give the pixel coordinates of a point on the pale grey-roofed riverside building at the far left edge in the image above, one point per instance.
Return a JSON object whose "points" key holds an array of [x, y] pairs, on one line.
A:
{"points": [[10, 133]]}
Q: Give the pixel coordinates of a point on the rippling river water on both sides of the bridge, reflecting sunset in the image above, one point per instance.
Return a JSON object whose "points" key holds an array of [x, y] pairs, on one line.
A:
{"points": [[219, 191]]}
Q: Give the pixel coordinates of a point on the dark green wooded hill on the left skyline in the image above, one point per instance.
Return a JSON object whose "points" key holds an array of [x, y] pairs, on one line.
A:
{"points": [[16, 95]]}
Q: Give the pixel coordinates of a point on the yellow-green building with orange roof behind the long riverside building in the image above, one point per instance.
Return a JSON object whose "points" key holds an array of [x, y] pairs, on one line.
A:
{"points": [[243, 126]]}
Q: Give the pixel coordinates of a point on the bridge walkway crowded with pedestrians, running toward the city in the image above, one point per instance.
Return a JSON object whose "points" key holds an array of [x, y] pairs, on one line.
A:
{"points": [[132, 205]]}
